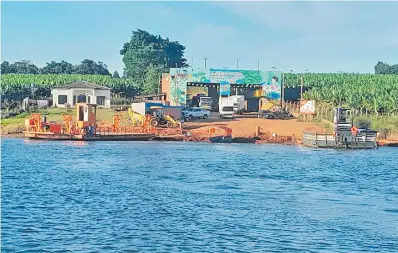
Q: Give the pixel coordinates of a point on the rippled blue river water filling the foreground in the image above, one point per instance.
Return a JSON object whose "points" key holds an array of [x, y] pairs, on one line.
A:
{"points": [[196, 197]]}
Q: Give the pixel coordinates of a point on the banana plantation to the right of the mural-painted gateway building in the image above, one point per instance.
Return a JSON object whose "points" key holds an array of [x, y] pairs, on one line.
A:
{"points": [[373, 93]]}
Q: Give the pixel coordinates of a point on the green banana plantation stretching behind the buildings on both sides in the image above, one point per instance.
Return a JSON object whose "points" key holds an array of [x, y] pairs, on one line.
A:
{"points": [[370, 92]]}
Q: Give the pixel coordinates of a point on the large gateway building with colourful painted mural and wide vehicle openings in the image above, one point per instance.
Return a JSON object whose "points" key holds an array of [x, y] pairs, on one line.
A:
{"points": [[182, 85]]}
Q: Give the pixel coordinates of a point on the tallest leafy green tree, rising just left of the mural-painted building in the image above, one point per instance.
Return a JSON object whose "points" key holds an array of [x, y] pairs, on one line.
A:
{"points": [[147, 52]]}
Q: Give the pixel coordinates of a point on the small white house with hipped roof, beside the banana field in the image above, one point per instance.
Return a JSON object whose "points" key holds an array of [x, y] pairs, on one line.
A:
{"points": [[81, 92]]}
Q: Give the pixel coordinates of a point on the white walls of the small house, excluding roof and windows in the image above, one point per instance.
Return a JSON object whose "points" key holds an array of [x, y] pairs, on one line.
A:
{"points": [[88, 92]]}
